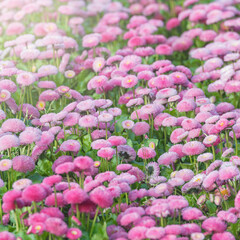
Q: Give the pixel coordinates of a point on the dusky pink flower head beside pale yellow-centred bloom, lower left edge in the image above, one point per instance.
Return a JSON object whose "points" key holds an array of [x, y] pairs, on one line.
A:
{"points": [[23, 164]]}
